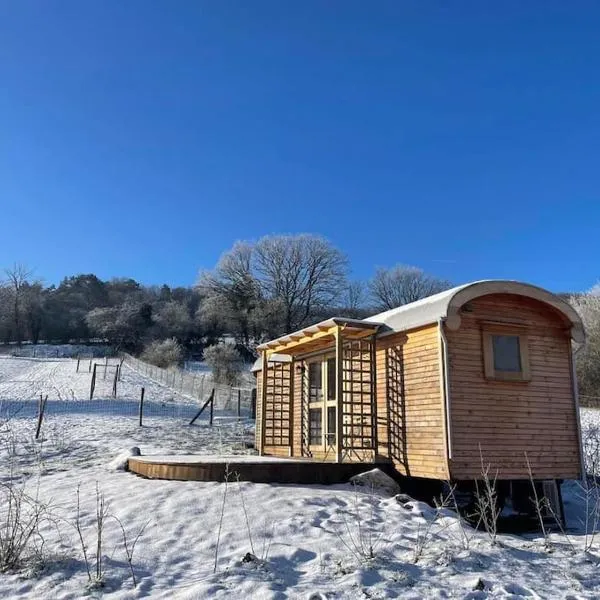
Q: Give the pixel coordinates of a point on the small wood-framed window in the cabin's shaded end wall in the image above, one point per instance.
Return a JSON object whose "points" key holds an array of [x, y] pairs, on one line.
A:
{"points": [[505, 354]]}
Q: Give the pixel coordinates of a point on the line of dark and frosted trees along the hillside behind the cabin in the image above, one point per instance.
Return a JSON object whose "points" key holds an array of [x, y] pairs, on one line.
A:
{"points": [[256, 291]]}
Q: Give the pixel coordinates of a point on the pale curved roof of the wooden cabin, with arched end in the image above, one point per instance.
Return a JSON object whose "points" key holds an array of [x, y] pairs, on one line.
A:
{"points": [[446, 305]]}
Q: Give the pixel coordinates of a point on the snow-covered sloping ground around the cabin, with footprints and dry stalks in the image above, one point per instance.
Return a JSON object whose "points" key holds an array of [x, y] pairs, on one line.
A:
{"points": [[311, 542]]}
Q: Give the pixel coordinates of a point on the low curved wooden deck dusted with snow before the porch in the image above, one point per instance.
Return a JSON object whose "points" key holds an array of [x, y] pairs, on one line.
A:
{"points": [[259, 469]]}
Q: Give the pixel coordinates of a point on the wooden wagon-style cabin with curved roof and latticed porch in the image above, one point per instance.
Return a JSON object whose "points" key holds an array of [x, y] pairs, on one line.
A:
{"points": [[479, 373]]}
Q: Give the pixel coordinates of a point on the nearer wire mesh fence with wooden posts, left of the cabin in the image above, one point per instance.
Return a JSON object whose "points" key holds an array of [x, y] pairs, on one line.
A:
{"points": [[89, 425]]}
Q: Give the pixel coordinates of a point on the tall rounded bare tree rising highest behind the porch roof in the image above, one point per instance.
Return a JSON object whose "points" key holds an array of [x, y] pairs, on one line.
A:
{"points": [[302, 272]]}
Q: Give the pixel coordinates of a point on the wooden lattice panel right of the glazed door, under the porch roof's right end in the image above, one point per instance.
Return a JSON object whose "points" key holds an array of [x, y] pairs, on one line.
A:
{"points": [[358, 400]]}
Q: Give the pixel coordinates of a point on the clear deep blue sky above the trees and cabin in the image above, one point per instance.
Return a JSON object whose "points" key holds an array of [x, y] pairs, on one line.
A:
{"points": [[143, 138]]}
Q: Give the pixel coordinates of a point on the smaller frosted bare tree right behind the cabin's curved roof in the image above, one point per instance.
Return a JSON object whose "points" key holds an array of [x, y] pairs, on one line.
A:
{"points": [[401, 285]]}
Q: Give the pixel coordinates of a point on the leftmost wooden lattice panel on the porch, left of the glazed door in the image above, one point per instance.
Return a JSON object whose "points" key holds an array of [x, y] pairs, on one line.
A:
{"points": [[277, 409]]}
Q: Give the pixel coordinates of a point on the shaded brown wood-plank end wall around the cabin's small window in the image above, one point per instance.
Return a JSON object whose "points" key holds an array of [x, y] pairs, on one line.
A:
{"points": [[507, 419]]}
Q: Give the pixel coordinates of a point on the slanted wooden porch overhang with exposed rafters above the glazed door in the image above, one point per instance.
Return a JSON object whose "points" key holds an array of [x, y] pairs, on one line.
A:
{"points": [[319, 337]]}
